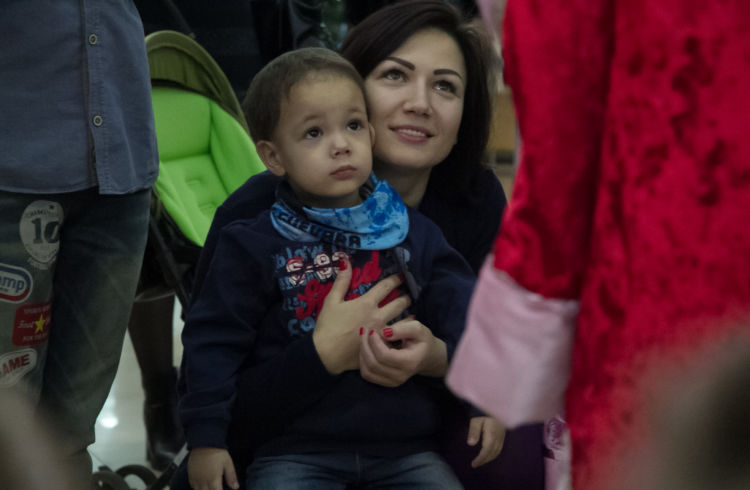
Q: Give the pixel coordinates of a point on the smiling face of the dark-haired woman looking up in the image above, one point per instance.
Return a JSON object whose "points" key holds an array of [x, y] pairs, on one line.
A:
{"points": [[416, 99]]}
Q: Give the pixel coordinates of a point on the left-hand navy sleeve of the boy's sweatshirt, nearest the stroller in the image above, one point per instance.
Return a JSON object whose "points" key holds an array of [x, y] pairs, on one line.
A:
{"points": [[219, 333]]}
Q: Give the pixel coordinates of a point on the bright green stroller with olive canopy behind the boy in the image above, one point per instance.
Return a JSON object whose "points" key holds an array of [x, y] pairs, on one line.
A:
{"points": [[205, 153]]}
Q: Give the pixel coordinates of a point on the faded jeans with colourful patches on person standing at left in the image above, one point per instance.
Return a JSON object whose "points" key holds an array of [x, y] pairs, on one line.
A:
{"points": [[69, 267]]}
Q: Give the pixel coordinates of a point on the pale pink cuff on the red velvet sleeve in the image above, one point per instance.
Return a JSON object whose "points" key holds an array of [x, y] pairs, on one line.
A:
{"points": [[513, 360]]}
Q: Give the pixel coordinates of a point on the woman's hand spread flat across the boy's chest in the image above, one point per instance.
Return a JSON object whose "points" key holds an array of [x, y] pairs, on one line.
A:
{"points": [[339, 324]]}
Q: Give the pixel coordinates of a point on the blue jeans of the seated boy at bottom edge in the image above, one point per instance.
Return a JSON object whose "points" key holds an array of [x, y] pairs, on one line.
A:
{"points": [[331, 471]]}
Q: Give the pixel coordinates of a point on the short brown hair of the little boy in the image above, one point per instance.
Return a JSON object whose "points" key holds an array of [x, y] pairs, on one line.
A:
{"points": [[262, 103]]}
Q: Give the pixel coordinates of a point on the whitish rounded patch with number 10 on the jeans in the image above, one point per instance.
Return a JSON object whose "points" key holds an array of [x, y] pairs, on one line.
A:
{"points": [[40, 231]]}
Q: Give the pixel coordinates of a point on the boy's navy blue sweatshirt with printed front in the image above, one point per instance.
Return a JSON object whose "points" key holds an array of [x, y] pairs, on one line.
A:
{"points": [[255, 312]]}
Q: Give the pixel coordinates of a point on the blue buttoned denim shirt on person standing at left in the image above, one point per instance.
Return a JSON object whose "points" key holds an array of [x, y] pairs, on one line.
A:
{"points": [[75, 103]]}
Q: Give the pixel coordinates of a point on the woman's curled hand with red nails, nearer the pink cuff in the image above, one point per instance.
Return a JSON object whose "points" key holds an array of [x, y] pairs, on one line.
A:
{"points": [[390, 356]]}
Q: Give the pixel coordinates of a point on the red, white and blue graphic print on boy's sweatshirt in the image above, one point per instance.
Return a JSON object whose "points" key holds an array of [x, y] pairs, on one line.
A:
{"points": [[306, 275]]}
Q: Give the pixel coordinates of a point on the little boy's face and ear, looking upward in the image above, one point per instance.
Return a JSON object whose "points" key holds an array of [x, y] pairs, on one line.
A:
{"points": [[323, 142]]}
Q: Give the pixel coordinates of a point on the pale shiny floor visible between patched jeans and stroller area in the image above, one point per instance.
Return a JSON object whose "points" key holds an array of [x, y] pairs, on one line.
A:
{"points": [[120, 434]]}
